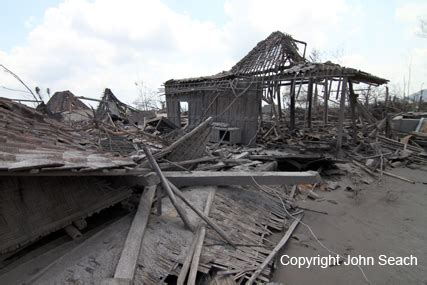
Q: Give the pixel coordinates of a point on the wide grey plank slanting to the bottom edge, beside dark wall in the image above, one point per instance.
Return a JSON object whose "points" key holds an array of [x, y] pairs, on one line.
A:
{"points": [[127, 263]]}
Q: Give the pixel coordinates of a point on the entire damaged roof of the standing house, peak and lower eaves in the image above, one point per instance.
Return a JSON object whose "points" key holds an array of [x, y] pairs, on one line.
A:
{"points": [[277, 58]]}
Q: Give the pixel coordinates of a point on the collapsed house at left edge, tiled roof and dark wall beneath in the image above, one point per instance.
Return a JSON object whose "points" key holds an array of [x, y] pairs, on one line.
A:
{"points": [[41, 186]]}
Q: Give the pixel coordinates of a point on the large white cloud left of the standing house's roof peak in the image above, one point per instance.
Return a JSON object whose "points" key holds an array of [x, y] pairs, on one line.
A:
{"points": [[86, 46]]}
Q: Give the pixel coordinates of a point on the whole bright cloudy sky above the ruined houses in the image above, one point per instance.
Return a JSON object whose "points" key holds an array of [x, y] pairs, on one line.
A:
{"points": [[87, 45]]}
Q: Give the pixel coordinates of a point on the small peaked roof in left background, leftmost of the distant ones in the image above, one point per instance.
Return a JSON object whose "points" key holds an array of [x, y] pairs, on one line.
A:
{"points": [[64, 101]]}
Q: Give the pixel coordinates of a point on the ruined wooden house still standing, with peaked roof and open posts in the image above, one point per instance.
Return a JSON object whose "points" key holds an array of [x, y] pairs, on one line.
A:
{"points": [[274, 71]]}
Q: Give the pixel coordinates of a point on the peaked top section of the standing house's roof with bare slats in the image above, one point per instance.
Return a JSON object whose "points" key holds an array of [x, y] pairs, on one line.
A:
{"points": [[276, 52]]}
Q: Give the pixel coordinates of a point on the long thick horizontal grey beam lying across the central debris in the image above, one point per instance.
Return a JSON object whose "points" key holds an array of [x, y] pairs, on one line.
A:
{"points": [[215, 178]]}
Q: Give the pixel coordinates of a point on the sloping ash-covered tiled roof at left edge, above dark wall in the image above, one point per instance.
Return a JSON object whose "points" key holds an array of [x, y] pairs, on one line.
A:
{"points": [[31, 142]]}
